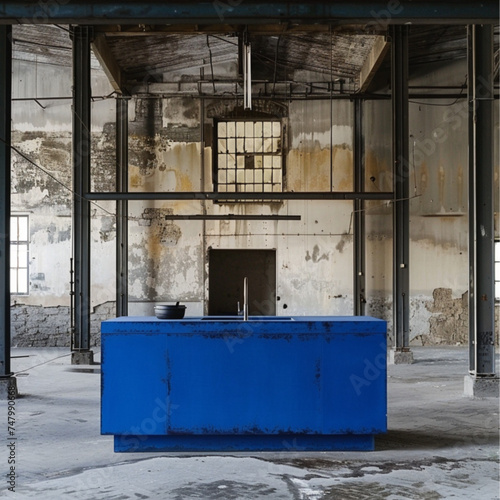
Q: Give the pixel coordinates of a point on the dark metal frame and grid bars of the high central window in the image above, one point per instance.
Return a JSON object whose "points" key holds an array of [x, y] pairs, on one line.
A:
{"points": [[280, 152]]}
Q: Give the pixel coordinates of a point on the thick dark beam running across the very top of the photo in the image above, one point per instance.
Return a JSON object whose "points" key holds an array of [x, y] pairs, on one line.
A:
{"points": [[376, 12]]}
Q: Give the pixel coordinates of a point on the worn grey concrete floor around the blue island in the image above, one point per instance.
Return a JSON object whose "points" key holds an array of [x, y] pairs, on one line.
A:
{"points": [[439, 445]]}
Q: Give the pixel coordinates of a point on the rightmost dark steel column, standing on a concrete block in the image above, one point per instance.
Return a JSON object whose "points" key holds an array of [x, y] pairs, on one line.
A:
{"points": [[481, 196]]}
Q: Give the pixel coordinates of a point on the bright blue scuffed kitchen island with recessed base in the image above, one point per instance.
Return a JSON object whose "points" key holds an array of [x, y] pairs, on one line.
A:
{"points": [[224, 384]]}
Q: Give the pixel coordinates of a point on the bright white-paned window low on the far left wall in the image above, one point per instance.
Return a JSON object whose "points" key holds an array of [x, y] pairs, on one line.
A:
{"points": [[19, 254]]}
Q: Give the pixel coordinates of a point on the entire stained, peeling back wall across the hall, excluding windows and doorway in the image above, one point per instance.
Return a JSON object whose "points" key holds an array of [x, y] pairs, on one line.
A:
{"points": [[170, 149]]}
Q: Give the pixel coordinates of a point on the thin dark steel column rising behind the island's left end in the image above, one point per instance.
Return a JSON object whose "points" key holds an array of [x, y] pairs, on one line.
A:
{"points": [[122, 207]]}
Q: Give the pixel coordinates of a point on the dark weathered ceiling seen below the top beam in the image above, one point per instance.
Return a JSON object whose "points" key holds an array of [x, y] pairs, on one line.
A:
{"points": [[315, 53]]}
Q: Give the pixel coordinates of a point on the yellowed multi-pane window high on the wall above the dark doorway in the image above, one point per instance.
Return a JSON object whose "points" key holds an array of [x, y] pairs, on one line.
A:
{"points": [[249, 156]]}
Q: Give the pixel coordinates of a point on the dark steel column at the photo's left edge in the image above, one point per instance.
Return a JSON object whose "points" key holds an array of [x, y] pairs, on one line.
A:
{"points": [[5, 185]]}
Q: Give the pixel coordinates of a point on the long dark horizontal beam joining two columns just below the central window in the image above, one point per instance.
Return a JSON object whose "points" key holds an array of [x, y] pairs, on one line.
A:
{"points": [[175, 196]]}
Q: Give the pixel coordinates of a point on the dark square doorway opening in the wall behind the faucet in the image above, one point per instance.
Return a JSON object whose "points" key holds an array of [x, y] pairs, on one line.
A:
{"points": [[226, 271]]}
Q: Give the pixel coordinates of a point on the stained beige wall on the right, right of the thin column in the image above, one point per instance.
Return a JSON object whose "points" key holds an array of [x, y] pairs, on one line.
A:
{"points": [[439, 206]]}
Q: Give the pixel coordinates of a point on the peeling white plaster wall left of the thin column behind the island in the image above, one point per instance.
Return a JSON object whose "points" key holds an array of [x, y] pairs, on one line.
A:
{"points": [[42, 132]]}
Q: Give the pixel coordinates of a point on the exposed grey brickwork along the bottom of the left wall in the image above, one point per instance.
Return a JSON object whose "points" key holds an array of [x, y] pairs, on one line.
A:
{"points": [[37, 326]]}
